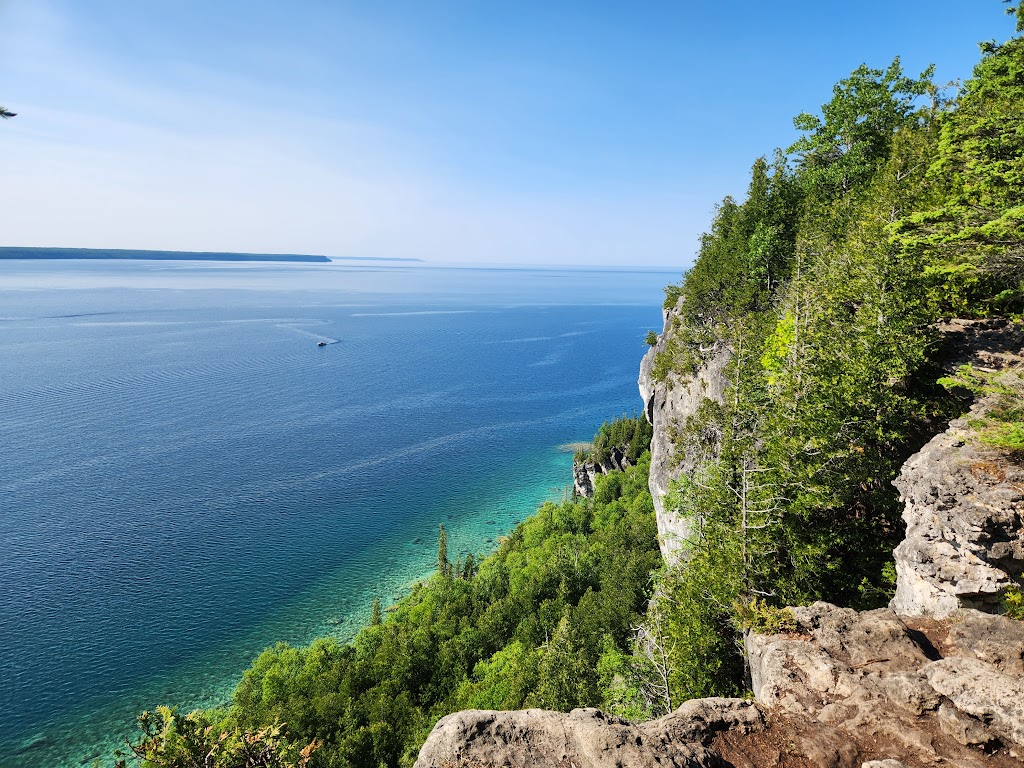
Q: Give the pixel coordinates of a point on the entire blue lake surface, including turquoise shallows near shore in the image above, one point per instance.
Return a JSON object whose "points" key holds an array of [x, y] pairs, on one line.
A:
{"points": [[187, 478]]}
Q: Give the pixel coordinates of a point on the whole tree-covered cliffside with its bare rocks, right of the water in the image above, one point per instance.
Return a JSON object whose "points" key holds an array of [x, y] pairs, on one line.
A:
{"points": [[855, 312]]}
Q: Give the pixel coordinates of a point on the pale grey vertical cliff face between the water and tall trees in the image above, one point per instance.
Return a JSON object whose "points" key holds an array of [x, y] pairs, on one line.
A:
{"points": [[669, 403]]}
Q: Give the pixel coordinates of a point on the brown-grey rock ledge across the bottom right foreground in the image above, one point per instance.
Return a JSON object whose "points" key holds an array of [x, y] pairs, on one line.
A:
{"points": [[844, 690]]}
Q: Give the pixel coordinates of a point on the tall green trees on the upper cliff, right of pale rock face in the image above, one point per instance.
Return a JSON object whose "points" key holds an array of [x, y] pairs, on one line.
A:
{"points": [[824, 286]]}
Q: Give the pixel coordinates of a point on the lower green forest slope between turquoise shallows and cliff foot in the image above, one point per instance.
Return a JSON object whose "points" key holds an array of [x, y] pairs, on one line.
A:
{"points": [[527, 628]]}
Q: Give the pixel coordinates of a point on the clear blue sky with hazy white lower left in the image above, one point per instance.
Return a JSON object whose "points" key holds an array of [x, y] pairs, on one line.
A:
{"points": [[559, 132]]}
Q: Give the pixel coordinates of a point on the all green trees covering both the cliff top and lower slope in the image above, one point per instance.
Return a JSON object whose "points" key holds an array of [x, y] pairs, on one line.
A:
{"points": [[895, 208]]}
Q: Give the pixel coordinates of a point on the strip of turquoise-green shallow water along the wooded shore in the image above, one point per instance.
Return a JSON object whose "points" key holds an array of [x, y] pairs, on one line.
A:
{"points": [[208, 680]]}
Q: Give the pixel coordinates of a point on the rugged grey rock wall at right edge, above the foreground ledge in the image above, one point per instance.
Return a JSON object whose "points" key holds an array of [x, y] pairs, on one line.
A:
{"points": [[964, 502]]}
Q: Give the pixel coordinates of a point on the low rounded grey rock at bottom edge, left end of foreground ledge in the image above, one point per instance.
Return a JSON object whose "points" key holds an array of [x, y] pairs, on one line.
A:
{"points": [[588, 739]]}
